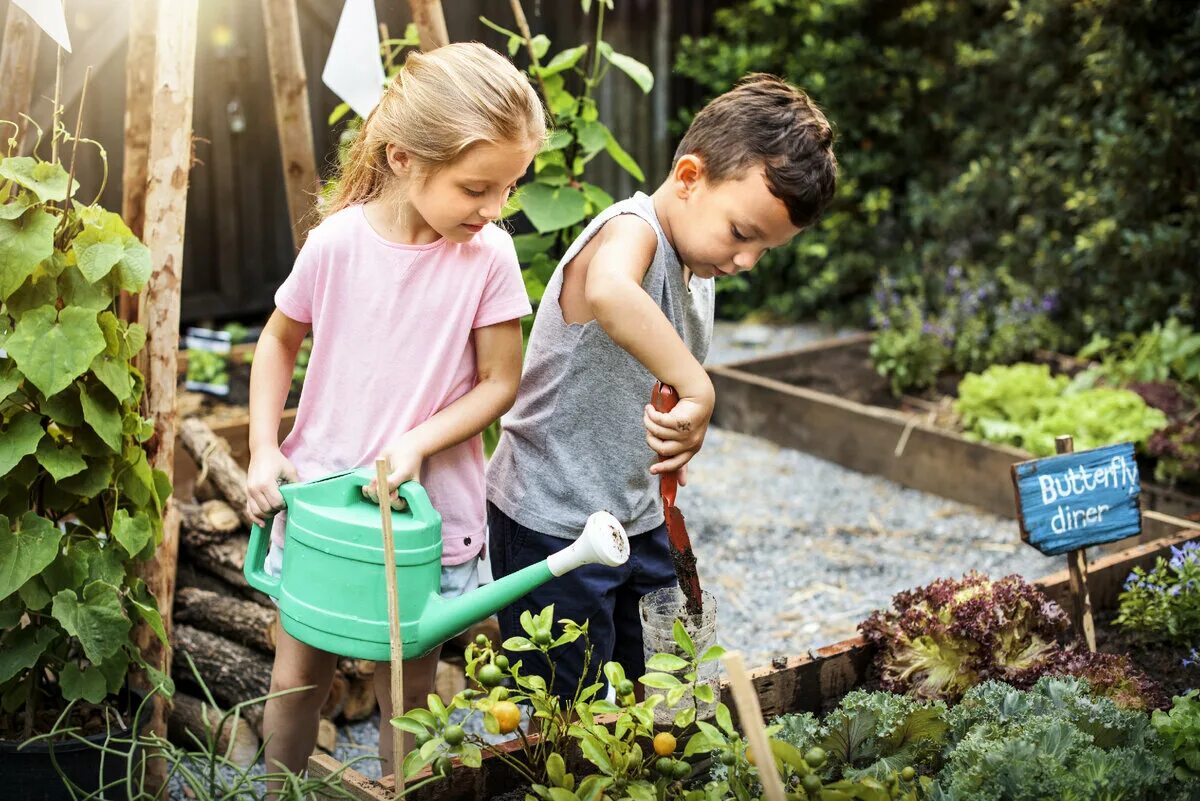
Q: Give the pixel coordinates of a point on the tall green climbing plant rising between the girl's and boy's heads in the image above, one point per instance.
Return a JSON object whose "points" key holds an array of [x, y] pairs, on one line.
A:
{"points": [[559, 201]]}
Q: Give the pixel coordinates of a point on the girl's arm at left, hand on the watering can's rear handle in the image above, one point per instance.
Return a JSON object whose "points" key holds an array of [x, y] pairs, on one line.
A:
{"points": [[271, 377]]}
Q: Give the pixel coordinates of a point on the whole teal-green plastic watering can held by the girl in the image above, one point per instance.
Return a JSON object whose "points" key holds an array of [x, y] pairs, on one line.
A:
{"points": [[332, 593]]}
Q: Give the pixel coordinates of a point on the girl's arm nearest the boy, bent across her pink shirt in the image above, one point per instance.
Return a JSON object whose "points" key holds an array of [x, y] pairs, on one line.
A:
{"points": [[499, 366]]}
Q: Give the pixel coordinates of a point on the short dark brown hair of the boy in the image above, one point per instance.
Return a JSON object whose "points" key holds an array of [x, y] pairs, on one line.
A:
{"points": [[765, 121]]}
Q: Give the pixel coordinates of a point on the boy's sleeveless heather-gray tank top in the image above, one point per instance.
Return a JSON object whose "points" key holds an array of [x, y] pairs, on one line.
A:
{"points": [[574, 442]]}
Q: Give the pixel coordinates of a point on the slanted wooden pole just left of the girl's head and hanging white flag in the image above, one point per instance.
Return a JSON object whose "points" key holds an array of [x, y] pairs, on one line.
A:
{"points": [[290, 86]]}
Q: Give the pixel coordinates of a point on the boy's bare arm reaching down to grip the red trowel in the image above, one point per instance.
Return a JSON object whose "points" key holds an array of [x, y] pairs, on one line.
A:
{"points": [[614, 292]]}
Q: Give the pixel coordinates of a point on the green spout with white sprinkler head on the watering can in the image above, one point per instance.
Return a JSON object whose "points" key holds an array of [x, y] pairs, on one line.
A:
{"points": [[603, 543]]}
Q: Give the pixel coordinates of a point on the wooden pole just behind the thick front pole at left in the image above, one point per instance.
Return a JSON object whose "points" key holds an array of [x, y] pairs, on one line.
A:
{"points": [[139, 99]]}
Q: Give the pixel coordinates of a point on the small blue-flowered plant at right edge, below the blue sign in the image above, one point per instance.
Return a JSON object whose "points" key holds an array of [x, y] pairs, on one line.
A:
{"points": [[1163, 604]]}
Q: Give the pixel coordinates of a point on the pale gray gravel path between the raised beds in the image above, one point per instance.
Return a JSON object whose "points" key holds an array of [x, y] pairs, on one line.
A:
{"points": [[799, 550]]}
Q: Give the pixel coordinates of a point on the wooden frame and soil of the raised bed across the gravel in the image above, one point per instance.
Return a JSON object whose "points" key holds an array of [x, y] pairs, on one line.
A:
{"points": [[827, 400]]}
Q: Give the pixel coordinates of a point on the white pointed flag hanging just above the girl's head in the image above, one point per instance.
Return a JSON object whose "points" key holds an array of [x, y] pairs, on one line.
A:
{"points": [[353, 70]]}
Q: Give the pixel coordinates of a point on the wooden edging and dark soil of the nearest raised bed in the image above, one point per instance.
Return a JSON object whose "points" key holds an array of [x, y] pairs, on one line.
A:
{"points": [[809, 683]]}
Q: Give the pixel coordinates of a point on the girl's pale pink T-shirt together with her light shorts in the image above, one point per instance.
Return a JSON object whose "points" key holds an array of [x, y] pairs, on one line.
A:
{"points": [[393, 347]]}
